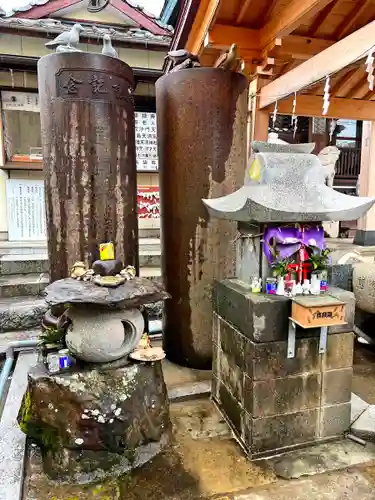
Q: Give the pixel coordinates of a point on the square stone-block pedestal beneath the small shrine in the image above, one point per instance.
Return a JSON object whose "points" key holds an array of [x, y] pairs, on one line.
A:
{"points": [[273, 403]]}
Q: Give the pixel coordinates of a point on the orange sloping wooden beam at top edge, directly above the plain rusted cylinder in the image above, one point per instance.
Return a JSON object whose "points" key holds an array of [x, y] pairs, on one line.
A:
{"points": [[203, 20]]}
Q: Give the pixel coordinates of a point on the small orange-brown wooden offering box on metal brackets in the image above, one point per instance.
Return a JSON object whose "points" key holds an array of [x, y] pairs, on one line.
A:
{"points": [[317, 311]]}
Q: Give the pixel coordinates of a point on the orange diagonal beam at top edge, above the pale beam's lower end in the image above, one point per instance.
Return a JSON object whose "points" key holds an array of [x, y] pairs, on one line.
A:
{"points": [[290, 17]]}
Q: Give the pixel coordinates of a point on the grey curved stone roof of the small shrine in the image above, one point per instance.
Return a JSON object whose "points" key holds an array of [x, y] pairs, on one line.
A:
{"points": [[290, 187]]}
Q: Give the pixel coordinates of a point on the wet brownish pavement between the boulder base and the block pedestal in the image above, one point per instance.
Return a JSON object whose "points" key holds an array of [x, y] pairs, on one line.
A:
{"points": [[204, 461]]}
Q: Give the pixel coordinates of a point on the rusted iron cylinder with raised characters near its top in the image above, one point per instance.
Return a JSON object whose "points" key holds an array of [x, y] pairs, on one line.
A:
{"points": [[87, 118]]}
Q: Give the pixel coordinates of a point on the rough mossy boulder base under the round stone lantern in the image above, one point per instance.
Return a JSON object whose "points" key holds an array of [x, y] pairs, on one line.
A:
{"points": [[93, 424]]}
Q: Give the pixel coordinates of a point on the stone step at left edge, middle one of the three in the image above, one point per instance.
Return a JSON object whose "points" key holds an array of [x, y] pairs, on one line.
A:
{"points": [[21, 285]]}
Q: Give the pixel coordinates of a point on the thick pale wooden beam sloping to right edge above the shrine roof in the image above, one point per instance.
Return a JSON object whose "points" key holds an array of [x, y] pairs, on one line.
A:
{"points": [[331, 60]]}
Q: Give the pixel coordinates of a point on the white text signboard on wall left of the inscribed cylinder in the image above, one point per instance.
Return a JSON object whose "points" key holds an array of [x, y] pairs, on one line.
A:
{"points": [[26, 210]]}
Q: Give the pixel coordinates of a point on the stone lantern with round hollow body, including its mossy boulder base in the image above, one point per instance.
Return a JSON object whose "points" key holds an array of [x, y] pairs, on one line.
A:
{"points": [[106, 414]]}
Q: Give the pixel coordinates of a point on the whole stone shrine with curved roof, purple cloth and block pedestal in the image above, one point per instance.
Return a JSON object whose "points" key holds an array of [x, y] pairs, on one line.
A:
{"points": [[281, 386]]}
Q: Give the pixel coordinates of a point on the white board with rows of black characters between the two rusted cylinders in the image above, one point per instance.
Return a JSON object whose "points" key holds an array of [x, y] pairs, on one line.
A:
{"points": [[146, 141]]}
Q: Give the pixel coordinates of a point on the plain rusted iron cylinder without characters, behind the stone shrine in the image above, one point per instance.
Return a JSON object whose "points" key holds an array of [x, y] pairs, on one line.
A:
{"points": [[202, 130]]}
